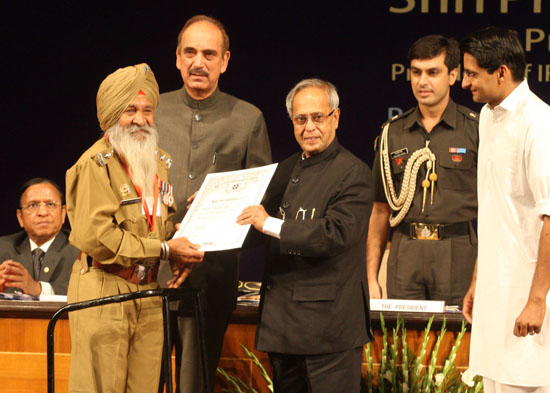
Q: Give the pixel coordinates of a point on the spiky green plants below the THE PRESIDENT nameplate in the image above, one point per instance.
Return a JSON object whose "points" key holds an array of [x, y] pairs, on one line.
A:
{"points": [[410, 375]]}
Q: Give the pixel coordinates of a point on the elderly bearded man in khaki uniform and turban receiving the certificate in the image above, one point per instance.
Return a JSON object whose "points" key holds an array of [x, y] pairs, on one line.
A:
{"points": [[119, 204]]}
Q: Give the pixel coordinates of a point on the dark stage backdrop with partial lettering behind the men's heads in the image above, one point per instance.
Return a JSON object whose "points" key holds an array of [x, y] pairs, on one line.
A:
{"points": [[56, 53]]}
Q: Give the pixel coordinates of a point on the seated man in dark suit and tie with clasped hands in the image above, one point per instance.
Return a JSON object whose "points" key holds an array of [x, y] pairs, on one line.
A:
{"points": [[38, 260]]}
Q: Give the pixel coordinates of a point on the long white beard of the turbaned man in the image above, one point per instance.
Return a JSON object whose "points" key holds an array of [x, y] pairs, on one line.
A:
{"points": [[137, 145]]}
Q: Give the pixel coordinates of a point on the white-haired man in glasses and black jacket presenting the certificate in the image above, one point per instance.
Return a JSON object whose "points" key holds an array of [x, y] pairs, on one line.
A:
{"points": [[314, 313]]}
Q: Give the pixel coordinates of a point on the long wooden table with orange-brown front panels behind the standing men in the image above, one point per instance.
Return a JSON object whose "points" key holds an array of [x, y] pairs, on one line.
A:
{"points": [[23, 328]]}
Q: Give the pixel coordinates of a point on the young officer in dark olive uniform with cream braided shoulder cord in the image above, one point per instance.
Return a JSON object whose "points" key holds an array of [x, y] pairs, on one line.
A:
{"points": [[425, 186]]}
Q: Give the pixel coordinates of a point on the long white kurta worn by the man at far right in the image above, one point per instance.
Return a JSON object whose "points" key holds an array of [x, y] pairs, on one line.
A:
{"points": [[514, 194]]}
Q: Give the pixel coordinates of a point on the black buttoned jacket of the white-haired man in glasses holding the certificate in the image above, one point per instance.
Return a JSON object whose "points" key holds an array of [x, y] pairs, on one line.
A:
{"points": [[314, 294]]}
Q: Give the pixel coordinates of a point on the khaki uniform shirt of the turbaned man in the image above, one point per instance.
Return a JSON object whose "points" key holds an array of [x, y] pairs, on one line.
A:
{"points": [[102, 226]]}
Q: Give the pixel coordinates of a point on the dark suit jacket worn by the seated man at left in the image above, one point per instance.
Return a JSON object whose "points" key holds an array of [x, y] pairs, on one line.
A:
{"points": [[58, 260]]}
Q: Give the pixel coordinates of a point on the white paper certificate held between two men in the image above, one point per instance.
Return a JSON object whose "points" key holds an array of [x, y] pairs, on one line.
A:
{"points": [[211, 219]]}
